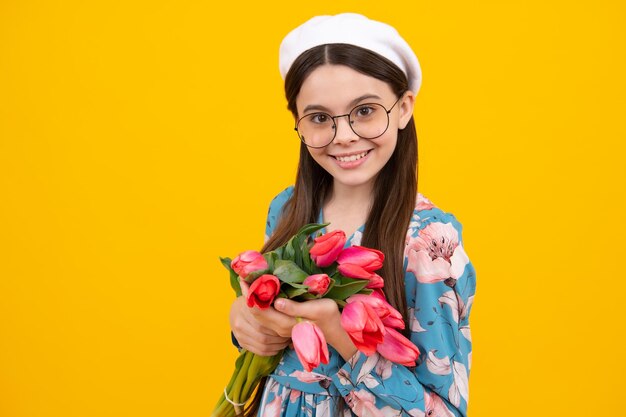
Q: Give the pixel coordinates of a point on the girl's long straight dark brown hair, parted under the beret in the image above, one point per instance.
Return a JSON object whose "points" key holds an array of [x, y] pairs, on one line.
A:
{"points": [[395, 187]]}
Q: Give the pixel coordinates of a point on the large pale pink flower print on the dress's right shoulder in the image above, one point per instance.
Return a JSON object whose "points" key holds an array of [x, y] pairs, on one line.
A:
{"points": [[436, 254]]}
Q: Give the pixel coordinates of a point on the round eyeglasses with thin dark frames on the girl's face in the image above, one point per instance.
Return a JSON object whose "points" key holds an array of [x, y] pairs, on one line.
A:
{"points": [[367, 121]]}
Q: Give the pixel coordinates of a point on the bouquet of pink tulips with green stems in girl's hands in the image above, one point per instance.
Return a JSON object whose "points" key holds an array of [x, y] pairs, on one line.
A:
{"points": [[305, 269]]}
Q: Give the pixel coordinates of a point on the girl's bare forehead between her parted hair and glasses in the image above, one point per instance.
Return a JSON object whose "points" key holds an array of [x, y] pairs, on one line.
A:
{"points": [[335, 86]]}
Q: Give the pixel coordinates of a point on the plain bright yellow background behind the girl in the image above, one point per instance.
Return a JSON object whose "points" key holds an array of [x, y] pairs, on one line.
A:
{"points": [[139, 141]]}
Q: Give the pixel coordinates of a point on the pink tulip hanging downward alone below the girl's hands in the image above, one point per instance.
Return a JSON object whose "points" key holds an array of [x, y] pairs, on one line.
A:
{"points": [[310, 345]]}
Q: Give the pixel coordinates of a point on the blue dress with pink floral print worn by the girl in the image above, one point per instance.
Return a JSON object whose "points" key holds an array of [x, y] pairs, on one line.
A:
{"points": [[440, 284]]}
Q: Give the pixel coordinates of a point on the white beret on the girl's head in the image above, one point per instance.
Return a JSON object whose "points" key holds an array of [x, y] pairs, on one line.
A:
{"points": [[354, 29]]}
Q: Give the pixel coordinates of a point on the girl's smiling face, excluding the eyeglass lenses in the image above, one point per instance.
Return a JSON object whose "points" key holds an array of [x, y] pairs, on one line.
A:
{"points": [[333, 89]]}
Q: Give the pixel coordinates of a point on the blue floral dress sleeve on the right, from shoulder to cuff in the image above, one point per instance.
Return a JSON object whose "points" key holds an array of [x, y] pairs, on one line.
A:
{"points": [[440, 286]]}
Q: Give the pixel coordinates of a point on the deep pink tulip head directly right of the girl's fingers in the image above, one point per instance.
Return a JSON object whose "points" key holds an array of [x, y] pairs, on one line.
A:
{"points": [[363, 325]]}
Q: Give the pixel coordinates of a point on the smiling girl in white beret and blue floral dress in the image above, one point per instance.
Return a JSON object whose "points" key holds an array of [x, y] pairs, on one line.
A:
{"points": [[351, 83]]}
